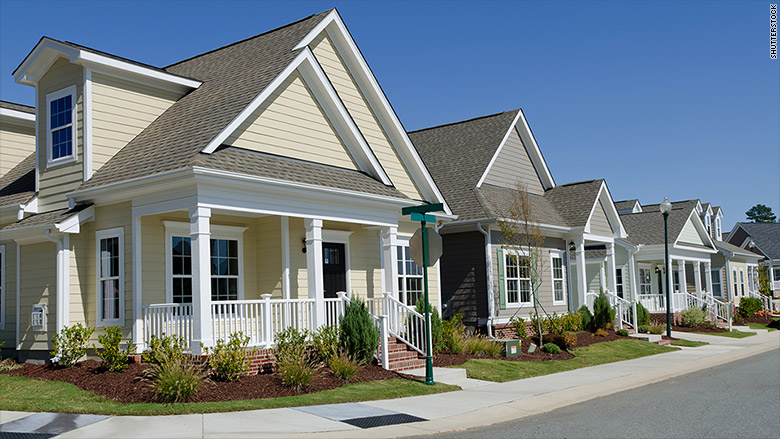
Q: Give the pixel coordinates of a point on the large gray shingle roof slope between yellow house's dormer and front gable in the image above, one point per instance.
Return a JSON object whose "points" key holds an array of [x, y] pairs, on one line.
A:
{"points": [[232, 77]]}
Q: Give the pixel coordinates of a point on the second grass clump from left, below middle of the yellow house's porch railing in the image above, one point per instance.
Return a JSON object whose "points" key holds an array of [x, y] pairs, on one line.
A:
{"points": [[294, 361]]}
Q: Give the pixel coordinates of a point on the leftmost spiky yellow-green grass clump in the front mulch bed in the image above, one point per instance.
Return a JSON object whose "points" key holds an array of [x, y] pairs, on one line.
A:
{"points": [[174, 379]]}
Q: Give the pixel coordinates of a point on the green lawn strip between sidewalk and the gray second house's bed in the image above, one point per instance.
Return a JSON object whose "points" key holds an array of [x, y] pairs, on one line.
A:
{"points": [[595, 354]]}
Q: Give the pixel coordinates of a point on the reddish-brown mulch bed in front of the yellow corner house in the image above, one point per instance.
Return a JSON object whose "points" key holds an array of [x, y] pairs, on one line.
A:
{"points": [[127, 387]]}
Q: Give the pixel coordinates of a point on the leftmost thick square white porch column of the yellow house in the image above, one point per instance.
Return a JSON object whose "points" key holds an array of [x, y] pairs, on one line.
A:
{"points": [[200, 245]]}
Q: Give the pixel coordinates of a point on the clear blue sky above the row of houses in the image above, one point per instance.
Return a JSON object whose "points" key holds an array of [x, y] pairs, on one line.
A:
{"points": [[676, 99]]}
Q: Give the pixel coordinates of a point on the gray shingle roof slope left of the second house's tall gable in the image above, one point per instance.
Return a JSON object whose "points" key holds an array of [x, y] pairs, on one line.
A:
{"points": [[457, 155]]}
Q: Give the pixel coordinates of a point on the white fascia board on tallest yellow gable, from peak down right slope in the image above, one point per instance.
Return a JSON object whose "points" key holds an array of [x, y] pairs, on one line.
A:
{"points": [[377, 101]]}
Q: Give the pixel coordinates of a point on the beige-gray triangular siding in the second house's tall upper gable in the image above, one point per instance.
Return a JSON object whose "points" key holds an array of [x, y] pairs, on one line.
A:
{"points": [[513, 166]]}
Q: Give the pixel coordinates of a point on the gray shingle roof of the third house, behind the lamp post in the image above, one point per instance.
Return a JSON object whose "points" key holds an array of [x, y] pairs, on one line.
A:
{"points": [[647, 227]]}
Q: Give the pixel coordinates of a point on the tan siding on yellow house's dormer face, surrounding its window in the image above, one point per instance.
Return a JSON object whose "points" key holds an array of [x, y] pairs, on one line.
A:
{"points": [[57, 181]]}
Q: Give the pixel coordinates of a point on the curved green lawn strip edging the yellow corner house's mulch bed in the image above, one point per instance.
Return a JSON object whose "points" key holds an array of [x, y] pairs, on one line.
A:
{"points": [[25, 394]]}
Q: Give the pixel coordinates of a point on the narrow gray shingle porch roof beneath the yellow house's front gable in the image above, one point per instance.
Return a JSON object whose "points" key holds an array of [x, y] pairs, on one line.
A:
{"points": [[283, 168]]}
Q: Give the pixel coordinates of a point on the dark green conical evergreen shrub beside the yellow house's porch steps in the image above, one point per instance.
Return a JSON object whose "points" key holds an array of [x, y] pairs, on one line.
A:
{"points": [[359, 337]]}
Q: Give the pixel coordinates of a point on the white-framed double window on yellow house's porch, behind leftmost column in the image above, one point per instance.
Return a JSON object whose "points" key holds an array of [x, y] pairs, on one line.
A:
{"points": [[226, 248]]}
